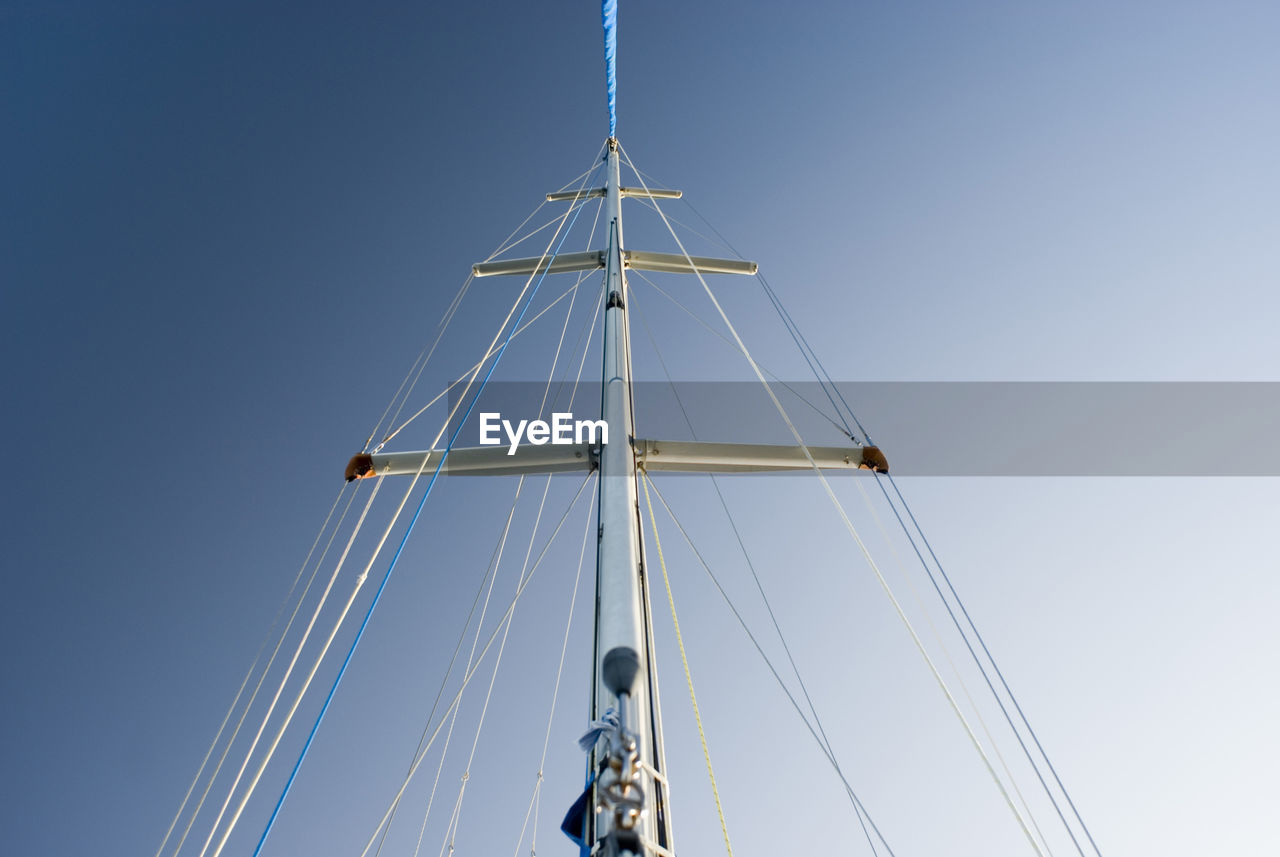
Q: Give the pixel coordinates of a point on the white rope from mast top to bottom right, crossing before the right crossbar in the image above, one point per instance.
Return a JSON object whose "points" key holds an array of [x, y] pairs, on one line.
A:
{"points": [[849, 526]]}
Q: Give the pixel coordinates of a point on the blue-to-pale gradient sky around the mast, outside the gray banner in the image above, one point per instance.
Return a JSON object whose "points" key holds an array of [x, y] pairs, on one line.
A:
{"points": [[230, 228]]}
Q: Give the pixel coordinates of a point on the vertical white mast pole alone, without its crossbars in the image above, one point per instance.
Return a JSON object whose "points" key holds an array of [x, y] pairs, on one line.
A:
{"points": [[628, 787]]}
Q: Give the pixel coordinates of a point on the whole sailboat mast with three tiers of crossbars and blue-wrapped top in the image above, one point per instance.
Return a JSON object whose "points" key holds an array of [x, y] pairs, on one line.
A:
{"points": [[625, 808]]}
